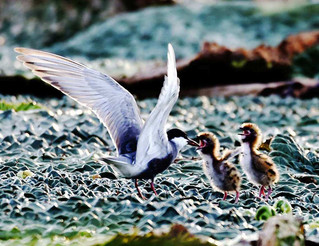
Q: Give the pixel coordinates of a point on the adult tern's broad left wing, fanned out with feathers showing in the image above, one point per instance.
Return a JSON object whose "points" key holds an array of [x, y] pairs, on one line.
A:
{"points": [[115, 106]]}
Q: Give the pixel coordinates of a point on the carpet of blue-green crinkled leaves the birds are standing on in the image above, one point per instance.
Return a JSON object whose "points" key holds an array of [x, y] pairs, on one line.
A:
{"points": [[71, 195]]}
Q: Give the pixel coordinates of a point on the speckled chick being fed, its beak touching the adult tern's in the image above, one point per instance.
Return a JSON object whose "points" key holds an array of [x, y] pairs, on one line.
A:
{"points": [[222, 174]]}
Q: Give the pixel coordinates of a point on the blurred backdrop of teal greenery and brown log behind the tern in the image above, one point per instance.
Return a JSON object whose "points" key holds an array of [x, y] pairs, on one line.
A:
{"points": [[222, 47]]}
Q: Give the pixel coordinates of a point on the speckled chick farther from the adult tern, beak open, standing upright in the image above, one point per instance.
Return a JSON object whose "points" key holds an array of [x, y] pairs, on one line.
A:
{"points": [[259, 168]]}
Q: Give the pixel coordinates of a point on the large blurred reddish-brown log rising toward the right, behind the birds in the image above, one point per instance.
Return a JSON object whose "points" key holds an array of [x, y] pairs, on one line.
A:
{"points": [[219, 65]]}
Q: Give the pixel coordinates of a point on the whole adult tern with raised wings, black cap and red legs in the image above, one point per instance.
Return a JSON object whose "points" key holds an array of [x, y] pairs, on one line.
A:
{"points": [[144, 149]]}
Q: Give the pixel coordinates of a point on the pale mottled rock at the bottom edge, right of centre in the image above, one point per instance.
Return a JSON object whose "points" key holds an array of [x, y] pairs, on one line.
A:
{"points": [[282, 230]]}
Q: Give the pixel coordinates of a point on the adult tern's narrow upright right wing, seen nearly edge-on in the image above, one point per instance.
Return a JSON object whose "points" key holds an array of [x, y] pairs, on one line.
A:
{"points": [[153, 140]]}
